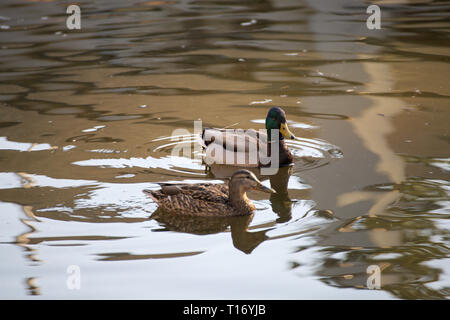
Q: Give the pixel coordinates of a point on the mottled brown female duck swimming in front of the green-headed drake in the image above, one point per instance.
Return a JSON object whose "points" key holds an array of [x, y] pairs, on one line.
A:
{"points": [[209, 199]]}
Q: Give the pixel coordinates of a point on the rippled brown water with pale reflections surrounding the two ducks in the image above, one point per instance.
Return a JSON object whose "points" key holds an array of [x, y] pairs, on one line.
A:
{"points": [[87, 116]]}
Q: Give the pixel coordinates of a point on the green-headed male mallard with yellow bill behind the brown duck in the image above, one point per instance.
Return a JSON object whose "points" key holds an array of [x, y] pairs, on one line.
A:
{"points": [[250, 148]]}
